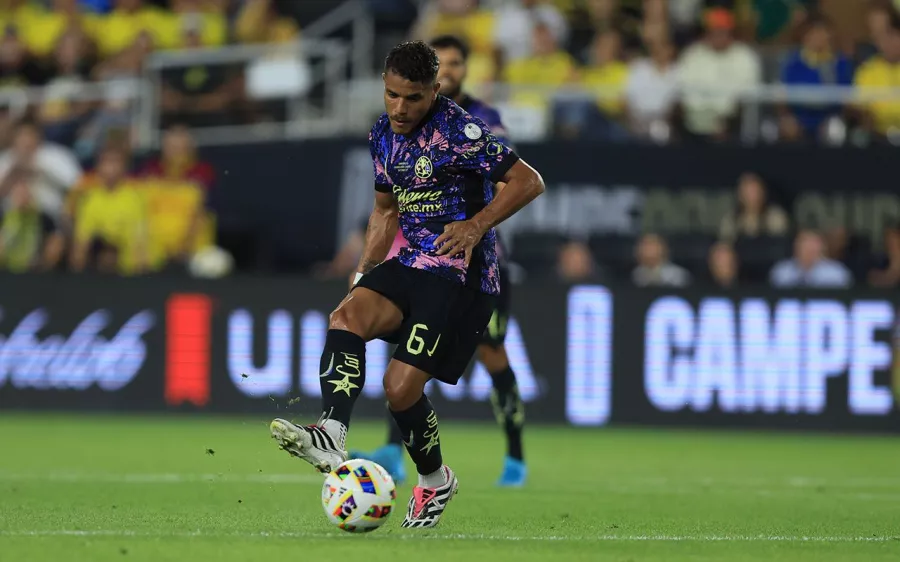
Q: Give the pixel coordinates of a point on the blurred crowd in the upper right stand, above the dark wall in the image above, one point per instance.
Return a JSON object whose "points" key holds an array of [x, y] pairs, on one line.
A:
{"points": [[649, 62]]}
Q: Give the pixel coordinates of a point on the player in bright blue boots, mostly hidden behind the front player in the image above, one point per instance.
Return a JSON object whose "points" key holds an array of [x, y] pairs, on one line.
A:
{"points": [[508, 406]]}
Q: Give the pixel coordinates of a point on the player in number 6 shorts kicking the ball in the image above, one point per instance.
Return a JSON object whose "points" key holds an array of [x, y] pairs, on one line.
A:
{"points": [[434, 165]]}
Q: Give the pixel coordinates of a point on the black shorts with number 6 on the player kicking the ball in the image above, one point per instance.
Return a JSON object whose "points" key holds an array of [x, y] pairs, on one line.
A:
{"points": [[443, 321]]}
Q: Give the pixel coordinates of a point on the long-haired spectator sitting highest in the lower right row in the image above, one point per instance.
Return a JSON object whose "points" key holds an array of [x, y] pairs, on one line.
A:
{"points": [[754, 214]]}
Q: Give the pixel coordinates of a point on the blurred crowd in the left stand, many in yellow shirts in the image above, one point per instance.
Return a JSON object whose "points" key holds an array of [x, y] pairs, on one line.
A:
{"points": [[75, 195]]}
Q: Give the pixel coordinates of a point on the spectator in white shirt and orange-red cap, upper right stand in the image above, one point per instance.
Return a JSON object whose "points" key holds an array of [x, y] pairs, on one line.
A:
{"points": [[652, 91]]}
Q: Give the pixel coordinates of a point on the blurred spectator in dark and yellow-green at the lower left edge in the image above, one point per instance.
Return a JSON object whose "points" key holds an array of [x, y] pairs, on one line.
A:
{"points": [[29, 239]]}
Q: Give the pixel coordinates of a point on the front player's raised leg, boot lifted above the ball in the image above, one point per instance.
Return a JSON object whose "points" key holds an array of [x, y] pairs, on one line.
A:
{"points": [[363, 315]]}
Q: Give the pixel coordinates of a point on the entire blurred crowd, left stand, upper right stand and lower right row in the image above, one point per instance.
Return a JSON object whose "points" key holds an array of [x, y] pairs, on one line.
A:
{"points": [[134, 213]]}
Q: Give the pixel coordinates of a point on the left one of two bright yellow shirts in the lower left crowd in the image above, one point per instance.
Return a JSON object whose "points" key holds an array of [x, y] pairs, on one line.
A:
{"points": [[117, 216]]}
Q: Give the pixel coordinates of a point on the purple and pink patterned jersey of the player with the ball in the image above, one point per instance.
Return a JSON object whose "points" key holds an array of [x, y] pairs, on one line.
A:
{"points": [[442, 172]]}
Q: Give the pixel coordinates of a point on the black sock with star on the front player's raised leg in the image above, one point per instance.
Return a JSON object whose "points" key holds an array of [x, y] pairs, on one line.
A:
{"points": [[343, 365]]}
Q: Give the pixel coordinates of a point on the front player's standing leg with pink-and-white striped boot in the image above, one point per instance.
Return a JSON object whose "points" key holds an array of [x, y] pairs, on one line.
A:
{"points": [[417, 421]]}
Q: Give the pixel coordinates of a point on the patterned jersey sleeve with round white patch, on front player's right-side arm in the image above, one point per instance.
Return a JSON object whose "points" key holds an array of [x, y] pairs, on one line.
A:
{"points": [[476, 149]]}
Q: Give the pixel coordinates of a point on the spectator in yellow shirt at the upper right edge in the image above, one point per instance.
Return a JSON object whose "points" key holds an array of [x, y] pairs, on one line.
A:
{"points": [[879, 73]]}
